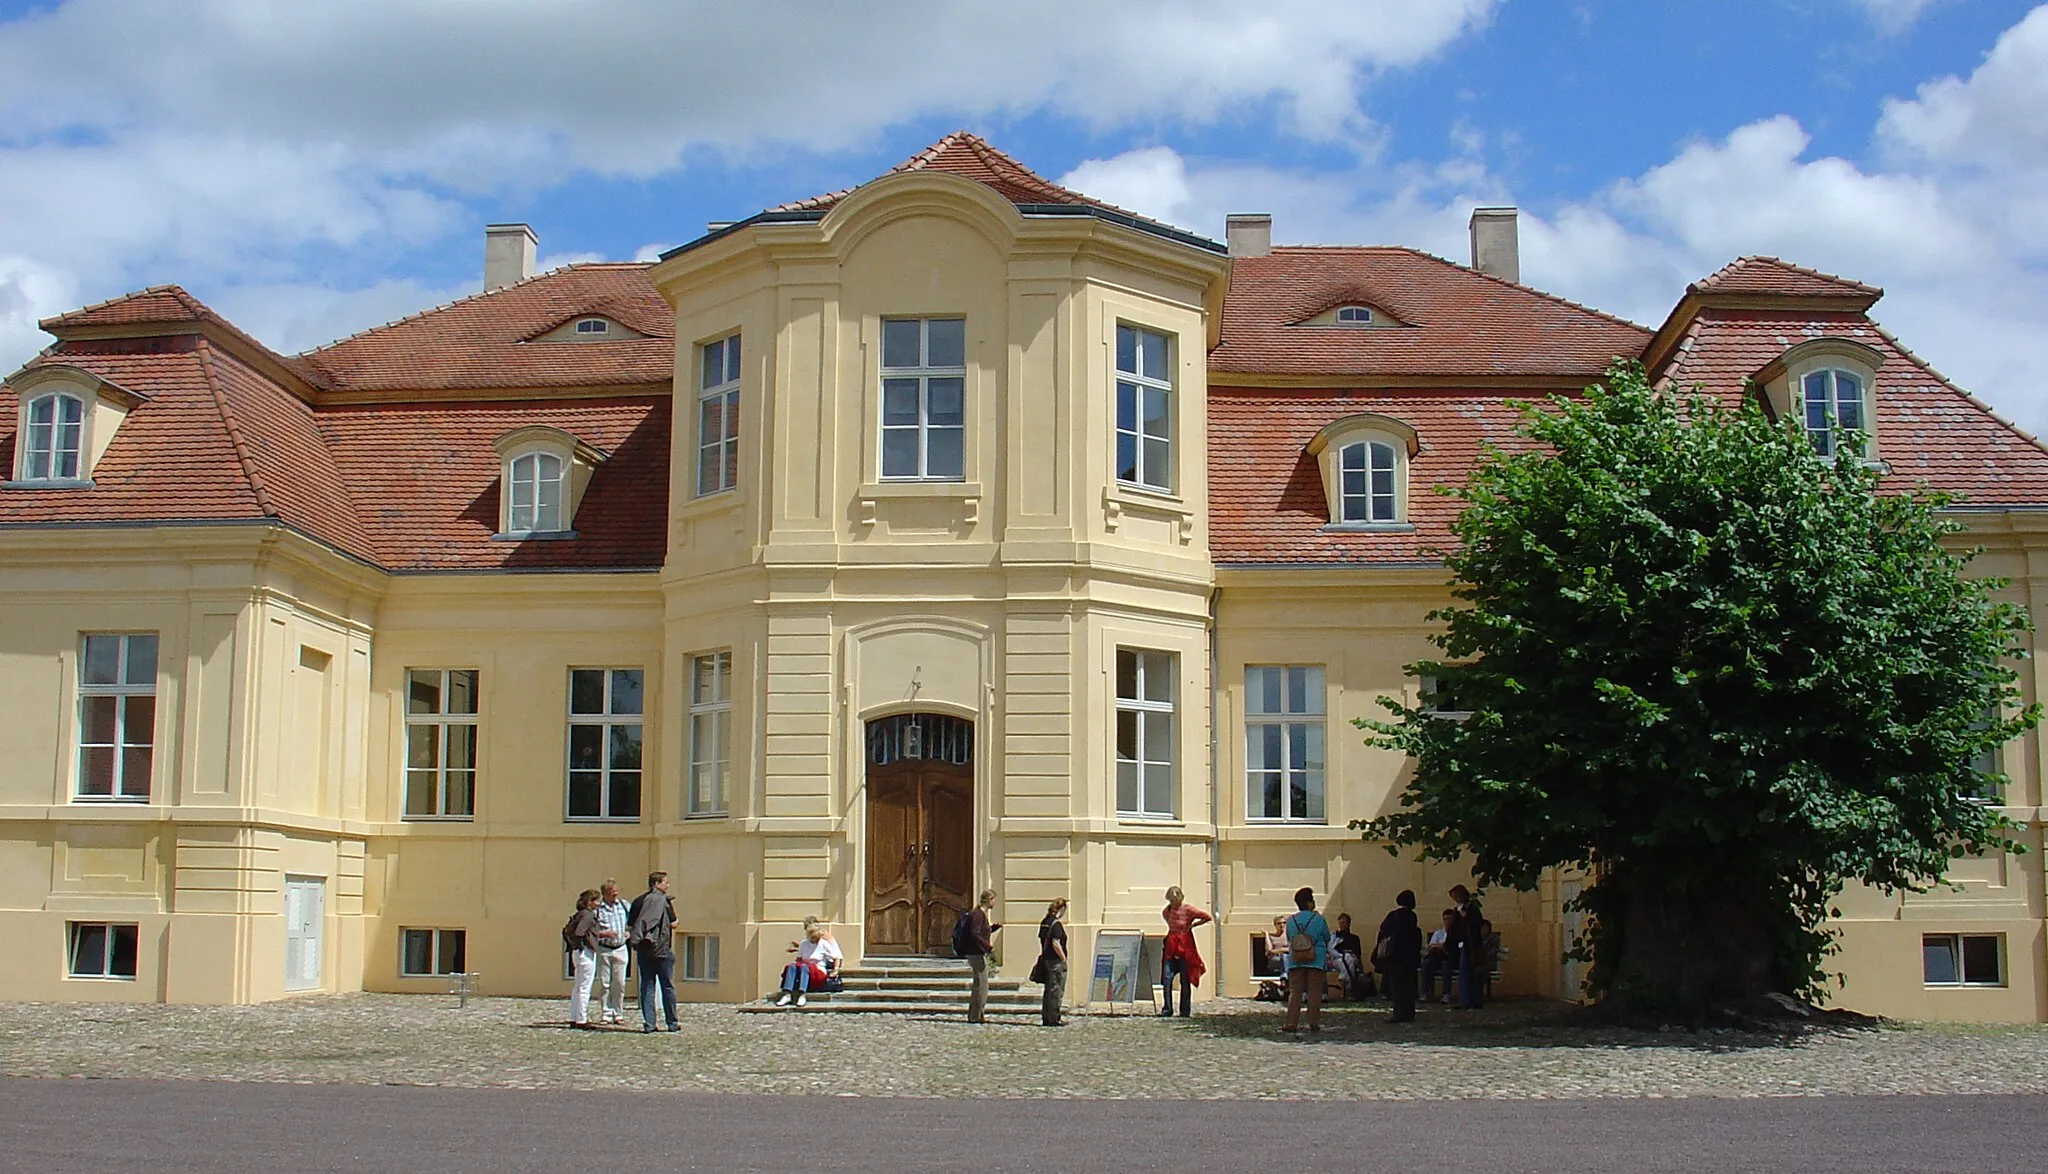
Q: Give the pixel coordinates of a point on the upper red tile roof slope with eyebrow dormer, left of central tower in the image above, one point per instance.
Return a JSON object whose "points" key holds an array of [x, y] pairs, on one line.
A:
{"points": [[482, 341]]}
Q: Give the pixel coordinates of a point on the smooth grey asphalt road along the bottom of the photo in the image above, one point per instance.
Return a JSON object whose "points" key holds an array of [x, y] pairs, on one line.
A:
{"points": [[108, 1126]]}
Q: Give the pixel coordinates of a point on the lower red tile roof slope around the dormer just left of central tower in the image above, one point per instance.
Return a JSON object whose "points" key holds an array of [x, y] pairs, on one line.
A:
{"points": [[427, 480]]}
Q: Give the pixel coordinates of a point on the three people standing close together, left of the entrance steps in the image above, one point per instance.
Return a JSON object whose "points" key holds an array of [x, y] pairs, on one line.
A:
{"points": [[599, 937]]}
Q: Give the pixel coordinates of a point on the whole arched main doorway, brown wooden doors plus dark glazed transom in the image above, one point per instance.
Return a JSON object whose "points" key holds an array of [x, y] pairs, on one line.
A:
{"points": [[921, 831]]}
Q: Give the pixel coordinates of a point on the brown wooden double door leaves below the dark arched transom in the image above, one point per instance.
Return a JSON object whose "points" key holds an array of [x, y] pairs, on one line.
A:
{"points": [[921, 855]]}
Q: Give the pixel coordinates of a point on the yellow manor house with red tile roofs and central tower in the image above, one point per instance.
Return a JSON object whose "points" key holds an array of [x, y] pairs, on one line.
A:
{"points": [[943, 534]]}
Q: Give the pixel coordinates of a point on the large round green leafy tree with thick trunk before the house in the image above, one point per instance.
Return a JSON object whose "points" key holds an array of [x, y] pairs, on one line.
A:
{"points": [[1717, 673]]}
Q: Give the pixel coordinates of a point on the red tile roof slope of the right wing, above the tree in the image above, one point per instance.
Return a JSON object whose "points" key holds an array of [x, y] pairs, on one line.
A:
{"points": [[1926, 427]]}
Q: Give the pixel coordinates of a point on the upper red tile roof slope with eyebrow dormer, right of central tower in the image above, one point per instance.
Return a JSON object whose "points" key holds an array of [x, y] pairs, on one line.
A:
{"points": [[1457, 323]]}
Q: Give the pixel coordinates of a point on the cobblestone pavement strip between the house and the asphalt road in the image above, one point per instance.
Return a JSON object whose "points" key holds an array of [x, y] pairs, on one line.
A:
{"points": [[1230, 1050]]}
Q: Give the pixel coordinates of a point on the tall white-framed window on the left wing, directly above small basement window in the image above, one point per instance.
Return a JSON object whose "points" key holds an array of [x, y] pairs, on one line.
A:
{"points": [[116, 716]]}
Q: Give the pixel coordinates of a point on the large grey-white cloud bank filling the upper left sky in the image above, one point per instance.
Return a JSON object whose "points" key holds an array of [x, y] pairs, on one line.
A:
{"points": [[224, 142]]}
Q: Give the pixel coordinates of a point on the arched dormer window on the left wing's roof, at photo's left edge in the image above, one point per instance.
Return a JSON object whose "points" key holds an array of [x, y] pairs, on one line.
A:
{"points": [[65, 419]]}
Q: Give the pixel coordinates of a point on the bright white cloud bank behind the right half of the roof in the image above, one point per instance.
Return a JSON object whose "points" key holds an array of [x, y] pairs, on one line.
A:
{"points": [[1949, 220]]}
